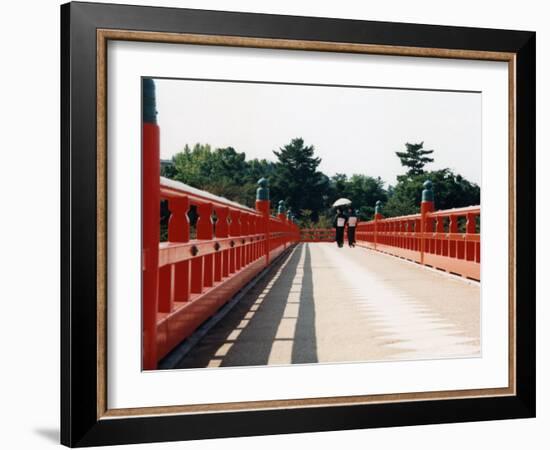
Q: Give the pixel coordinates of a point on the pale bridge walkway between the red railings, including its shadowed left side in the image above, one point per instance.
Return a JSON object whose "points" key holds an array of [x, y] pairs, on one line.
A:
{"points": [[326, 304]]}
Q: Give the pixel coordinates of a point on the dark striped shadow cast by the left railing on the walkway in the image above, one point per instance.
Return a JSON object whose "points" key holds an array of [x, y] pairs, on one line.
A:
{"points": [[247, 335]]}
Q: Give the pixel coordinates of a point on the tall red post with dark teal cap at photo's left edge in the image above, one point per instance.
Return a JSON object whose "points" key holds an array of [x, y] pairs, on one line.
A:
{"points": [[151, 222]]}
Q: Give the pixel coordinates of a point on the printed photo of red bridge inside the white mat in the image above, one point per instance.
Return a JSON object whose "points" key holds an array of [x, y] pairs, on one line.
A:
{"points": [[292, 223]]}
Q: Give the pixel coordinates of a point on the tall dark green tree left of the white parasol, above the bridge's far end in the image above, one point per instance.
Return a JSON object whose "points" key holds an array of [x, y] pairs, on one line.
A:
{"points": [[296, 179]]}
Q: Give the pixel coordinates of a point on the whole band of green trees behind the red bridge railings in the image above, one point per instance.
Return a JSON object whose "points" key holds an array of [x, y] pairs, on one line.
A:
{"points": [[294, 177]]}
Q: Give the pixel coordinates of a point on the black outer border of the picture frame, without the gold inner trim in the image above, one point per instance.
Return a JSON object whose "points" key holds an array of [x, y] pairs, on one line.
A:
{"points": [[79, 423]]}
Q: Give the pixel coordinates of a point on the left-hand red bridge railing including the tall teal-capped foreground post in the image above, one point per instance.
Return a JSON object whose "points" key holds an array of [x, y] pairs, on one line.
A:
{"points": [[188, 278]]}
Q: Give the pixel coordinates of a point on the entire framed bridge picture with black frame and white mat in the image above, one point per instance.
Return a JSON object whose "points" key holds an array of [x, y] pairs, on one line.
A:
{"points": [[277, 224]]}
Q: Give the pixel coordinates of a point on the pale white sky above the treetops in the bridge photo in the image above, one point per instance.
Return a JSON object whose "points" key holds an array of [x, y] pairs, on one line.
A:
{"points": [[353, 130]]}
